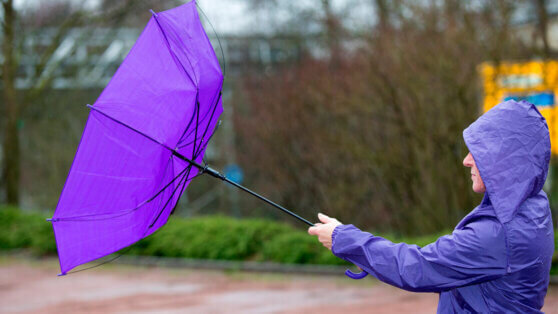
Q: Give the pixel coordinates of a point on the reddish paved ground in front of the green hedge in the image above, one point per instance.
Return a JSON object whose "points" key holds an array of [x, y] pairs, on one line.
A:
{"points": [[33, 287]]}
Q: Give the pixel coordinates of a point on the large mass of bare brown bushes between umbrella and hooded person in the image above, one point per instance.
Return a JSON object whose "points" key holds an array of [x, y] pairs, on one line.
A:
{"points": [[377, 140]]}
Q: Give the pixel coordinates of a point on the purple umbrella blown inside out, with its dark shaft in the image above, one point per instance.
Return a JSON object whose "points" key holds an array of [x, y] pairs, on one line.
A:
{"points": [[143, 142]]}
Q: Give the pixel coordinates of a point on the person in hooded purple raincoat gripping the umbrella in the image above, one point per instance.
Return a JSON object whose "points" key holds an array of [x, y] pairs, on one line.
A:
{"points": [[497, 259]]}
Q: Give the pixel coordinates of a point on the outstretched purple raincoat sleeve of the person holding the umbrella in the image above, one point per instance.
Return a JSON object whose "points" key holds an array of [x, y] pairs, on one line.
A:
{"points": [[473, 254]]}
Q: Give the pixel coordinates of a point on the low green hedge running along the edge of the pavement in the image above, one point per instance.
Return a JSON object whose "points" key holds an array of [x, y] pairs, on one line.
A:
{"points": [[213, 237]]}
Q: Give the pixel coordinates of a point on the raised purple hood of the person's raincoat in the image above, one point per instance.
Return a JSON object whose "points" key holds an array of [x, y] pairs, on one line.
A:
{"points": [[511, 147]]}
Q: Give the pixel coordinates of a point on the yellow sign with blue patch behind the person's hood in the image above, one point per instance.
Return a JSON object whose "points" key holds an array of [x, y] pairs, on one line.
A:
{"points": [[533, 81]]}
